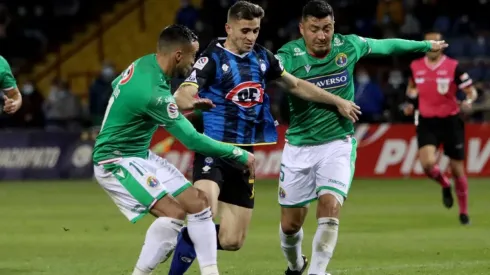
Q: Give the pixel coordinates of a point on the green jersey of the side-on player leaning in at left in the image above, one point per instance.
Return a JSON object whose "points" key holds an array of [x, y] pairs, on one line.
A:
{"points": [[140, 102]]}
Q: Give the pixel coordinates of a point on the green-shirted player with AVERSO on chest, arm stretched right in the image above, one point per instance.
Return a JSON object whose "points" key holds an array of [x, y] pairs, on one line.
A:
{"points": [[319, 156]]}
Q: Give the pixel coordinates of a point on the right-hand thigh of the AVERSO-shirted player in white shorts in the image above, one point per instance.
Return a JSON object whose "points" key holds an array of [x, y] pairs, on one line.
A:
{"points": [[335, 171]]}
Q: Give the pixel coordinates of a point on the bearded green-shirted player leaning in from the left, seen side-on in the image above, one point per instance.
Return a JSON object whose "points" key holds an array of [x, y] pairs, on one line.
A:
{"points": [[137, 180]]}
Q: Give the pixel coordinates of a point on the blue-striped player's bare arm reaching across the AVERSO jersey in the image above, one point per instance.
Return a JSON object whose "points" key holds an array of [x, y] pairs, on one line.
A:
{"points": [[308, 91]]}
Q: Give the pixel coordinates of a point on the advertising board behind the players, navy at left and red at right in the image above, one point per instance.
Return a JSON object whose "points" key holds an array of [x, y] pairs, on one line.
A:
{"points": [[384, 150]]}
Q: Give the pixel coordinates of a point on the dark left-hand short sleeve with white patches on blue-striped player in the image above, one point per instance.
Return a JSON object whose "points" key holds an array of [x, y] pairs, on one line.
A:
{"points": [[203, 73]]}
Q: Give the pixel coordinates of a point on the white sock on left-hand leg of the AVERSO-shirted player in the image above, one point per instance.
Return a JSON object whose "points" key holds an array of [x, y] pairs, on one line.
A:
{"points": [[291, 247]]}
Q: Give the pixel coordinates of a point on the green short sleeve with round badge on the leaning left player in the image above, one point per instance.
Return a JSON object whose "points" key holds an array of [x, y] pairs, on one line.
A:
{"points": [[162, 109]]}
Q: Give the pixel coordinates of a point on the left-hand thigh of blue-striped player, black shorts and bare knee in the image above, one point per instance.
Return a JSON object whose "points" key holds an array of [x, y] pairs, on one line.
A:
{"points": [[208, 176]]}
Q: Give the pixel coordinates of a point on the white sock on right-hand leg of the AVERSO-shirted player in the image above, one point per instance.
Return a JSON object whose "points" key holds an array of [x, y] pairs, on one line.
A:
{"points": [[323, 244]]}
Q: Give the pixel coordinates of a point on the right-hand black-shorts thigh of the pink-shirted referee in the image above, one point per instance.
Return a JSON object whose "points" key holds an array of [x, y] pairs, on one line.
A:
{"points": [[454, 138]]}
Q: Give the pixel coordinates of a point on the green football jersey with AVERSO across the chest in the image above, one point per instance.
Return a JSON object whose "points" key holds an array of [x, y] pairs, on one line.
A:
{"points": [[315, 123]]}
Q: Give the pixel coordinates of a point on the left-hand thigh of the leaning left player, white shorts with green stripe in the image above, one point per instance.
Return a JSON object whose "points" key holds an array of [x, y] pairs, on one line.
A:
{"points": [[134, 190]]}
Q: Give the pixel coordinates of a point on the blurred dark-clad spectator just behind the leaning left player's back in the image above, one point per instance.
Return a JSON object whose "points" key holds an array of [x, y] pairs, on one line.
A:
{"points": [[100, 92]]}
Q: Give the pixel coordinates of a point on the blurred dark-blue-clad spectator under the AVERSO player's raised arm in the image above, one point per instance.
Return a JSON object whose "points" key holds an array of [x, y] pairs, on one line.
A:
{"points": [[368, 96]]}
